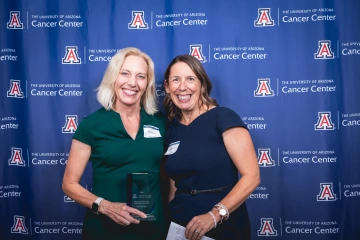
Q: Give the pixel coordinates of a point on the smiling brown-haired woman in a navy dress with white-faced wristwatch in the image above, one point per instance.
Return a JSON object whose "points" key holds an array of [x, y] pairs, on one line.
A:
{"points": [[208, 146]]}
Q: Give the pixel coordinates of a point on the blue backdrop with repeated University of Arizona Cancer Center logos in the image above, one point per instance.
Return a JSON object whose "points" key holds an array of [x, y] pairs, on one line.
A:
{"points": [[290, 69]]}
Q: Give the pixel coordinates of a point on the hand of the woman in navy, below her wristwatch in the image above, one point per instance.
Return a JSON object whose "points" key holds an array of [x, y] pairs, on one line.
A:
{"points": [[198, 226]]}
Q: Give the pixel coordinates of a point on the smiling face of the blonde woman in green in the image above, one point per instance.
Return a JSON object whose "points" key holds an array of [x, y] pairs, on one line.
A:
{"points": [[131, 82]]}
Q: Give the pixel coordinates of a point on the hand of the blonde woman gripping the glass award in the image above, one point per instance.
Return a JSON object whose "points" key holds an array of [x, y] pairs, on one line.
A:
{"points": [[120, 213]]}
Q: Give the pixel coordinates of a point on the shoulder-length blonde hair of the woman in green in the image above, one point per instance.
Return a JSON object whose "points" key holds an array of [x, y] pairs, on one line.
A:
{"points": [[106, 90]]}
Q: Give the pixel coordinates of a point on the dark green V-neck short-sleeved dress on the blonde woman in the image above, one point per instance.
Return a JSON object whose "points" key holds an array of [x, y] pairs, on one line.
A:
{"points": [[114, 154]]}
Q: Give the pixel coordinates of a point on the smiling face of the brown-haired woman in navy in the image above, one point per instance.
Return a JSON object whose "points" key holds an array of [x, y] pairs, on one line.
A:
{"points": [[184, 87]]}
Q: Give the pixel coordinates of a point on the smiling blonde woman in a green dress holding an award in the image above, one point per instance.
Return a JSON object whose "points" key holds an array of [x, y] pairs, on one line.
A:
{"points": [[123, 137]]}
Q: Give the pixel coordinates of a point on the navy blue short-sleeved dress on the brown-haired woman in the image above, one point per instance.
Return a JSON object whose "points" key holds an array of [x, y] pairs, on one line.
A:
{"points": [[202, 162]]}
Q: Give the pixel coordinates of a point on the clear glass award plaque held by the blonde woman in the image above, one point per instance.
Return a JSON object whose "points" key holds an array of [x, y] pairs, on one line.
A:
{"points": [[140, 194]]}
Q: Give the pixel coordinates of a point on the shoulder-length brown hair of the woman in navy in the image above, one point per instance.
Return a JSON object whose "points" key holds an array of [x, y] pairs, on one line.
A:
{"points": [[205, 100]]}
